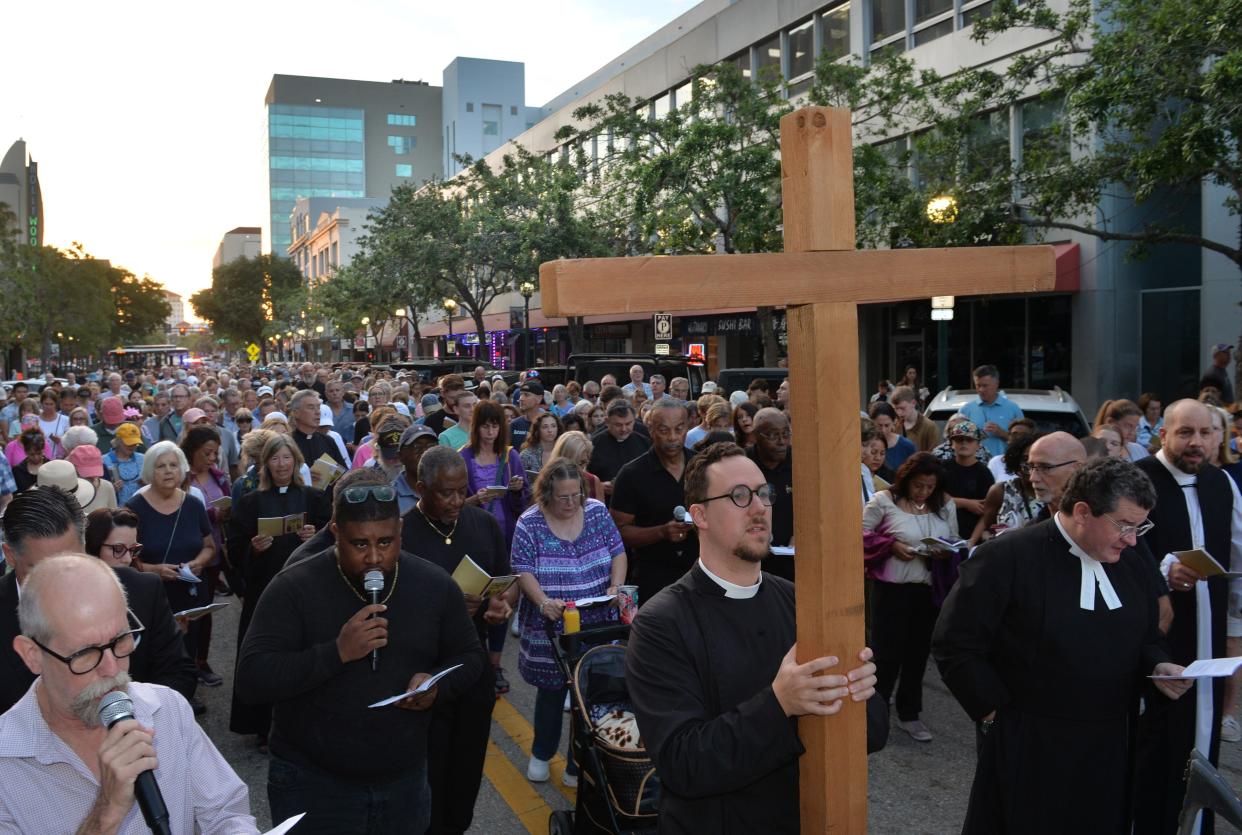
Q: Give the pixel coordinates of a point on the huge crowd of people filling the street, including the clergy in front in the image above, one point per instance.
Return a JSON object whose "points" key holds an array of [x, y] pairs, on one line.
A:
{"points": [[336, 504]]}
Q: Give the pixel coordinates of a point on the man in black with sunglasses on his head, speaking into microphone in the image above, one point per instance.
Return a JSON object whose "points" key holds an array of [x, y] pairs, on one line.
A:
{"points": [[309, 650]]}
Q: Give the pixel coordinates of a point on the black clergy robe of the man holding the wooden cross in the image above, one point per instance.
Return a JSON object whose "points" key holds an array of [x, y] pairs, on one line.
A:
{"points": [[700, 669]]}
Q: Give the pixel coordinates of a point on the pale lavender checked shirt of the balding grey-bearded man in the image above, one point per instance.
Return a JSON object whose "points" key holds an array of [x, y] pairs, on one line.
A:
{"points": [[47, 788]]}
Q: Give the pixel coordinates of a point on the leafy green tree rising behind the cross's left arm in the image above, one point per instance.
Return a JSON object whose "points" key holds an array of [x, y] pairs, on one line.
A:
{"points": [[704, 178]]}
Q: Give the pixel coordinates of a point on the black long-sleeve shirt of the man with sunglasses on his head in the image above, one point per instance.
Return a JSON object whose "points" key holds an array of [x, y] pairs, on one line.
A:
{"points": [[321, 718]]}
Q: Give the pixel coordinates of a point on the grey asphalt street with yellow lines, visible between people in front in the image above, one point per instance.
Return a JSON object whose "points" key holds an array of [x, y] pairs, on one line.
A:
{"points": [[912, 787]]}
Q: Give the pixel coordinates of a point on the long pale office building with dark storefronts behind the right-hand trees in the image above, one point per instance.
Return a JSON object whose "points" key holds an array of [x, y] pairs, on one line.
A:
{"points": [[1112, 327]]}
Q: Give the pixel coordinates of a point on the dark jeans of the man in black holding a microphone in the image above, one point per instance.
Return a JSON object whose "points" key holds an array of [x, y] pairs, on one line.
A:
{"points": [[399, 806]]}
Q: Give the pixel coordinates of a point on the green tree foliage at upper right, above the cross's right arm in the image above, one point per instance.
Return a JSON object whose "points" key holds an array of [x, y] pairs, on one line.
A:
{"points": [[1137, 99]]}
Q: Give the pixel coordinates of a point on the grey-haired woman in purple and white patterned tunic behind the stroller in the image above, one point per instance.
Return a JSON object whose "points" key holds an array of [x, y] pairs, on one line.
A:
{"points": [[566, 547]]}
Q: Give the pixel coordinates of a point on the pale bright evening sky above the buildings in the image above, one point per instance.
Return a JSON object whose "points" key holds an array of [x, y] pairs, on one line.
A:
{"points": [[147, 119]]}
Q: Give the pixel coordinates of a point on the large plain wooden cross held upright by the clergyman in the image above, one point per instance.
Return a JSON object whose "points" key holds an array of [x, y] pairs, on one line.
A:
{"points": [[822, 280]]}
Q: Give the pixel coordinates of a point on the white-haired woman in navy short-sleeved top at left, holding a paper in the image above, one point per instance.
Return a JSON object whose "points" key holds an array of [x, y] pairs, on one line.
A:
{"points": [[175, 530]]}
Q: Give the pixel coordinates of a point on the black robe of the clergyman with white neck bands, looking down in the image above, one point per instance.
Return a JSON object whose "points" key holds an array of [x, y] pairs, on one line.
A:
{"points": [[1064, 682]]}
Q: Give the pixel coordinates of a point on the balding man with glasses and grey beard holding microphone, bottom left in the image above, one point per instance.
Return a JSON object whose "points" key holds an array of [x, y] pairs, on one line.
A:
{"points": [[61, 770]]}
